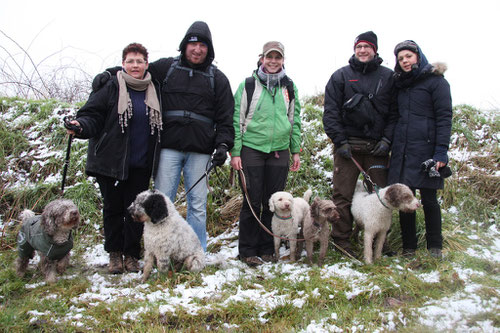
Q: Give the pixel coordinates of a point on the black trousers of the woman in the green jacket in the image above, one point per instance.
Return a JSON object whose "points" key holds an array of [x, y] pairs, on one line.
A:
{"points": [[265, 173]]}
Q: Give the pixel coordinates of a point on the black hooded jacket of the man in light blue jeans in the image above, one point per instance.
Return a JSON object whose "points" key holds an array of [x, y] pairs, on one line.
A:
{"points": [[189, 89]]}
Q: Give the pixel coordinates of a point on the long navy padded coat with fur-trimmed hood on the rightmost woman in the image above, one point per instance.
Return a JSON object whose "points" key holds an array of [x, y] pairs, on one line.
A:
{"points": [[423, 129]]}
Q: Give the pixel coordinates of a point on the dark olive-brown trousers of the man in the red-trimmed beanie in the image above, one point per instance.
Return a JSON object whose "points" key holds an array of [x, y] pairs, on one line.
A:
{"points": [[345, 176]]}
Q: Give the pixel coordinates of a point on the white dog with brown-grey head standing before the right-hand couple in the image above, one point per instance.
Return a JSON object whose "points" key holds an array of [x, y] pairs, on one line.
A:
{"points": [[373, 213]]}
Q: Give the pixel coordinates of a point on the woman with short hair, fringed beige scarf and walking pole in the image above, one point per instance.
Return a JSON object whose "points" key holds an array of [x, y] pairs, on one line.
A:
{"points": [[122, 121]]}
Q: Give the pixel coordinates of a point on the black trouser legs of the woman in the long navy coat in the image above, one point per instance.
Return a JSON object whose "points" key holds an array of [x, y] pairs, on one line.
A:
{"points": [[432, 213]]}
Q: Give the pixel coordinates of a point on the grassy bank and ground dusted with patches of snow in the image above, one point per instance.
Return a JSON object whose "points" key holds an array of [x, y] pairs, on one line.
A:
{"points": [[460, 292]]}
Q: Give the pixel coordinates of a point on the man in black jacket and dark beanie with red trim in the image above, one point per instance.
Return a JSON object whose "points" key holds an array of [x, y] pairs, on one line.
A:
{"points": [[363, 134]]}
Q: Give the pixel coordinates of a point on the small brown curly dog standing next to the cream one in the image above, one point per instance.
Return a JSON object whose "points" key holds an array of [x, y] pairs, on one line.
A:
{"points": [[323, 213]]}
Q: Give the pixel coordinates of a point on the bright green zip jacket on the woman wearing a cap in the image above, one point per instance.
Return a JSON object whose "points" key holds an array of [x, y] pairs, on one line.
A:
{"points": [[272, 122]]}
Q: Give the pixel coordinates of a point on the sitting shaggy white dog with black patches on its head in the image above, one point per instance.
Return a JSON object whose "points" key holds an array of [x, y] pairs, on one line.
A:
{"points": [[167, 236]]}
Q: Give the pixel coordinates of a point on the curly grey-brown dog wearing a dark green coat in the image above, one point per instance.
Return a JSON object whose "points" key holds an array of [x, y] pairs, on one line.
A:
{"points": [[50, 235]]}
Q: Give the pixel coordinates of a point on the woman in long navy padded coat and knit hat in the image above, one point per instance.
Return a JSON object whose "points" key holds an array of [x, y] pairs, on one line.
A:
{"points": [[421, 139]]}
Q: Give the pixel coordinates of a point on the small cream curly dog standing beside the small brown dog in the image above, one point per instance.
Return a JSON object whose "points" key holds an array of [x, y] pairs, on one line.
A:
{"points": [[289, 215]]}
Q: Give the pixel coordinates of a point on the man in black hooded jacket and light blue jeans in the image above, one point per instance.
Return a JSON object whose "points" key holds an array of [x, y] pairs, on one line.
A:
{"points": [[197, 107]]}
